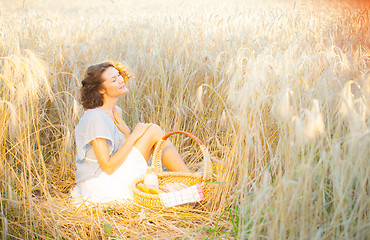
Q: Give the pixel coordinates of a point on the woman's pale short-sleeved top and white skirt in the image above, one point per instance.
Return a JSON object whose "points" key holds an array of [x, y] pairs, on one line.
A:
{"points": [[92, 184]]}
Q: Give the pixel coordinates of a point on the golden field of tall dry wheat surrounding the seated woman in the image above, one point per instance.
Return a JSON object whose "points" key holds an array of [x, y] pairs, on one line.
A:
{"points": [[277, 90]]}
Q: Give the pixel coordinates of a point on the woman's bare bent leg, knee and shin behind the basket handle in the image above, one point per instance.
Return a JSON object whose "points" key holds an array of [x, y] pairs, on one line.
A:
{"points": [[170, 157]]}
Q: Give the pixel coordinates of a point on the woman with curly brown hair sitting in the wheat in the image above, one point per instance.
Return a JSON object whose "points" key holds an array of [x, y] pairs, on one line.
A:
{"points": [[109, 155]]}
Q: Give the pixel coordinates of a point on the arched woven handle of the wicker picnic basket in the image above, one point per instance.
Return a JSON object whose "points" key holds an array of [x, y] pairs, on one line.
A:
{"points": [[157, 155]]}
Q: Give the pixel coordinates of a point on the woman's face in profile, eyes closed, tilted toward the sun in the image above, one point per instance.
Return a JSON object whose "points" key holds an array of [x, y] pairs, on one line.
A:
{"points": [[113, 83]]}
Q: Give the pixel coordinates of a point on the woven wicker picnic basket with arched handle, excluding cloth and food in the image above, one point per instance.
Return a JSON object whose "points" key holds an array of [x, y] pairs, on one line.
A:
{"points": [[153, 200]]}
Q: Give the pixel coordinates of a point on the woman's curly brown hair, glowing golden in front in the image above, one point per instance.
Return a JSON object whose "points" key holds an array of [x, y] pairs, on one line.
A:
{"points": [[92, 83]]}
